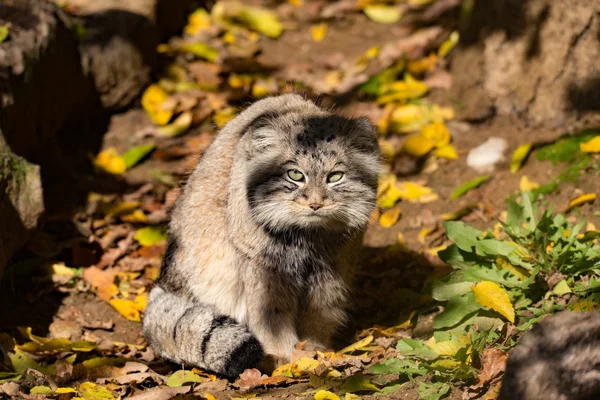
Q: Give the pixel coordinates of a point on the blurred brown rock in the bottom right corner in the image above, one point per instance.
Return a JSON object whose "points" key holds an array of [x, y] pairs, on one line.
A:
{"points": [[558, 360]]}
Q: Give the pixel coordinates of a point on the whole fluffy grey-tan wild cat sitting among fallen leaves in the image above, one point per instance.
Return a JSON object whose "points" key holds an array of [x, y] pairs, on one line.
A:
{"points": [[263, 241]]}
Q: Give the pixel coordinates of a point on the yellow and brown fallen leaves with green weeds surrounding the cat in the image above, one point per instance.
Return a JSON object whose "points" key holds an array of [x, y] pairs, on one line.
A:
{"points": [[480, 289]]}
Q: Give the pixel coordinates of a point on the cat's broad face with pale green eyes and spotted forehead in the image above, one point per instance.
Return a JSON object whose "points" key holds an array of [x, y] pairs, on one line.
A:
{"points": [[316, 172]]}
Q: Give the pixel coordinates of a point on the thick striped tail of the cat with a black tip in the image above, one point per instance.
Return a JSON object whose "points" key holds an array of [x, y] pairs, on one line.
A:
{"points": [[195, 334]]}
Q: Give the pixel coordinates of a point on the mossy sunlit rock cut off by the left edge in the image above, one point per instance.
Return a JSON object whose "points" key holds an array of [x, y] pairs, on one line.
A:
{"points": [[21, 202]]}
